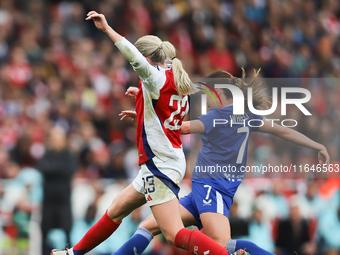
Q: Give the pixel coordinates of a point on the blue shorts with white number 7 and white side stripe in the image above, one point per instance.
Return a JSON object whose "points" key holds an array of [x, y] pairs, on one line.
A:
{"points": [[205, 198]]}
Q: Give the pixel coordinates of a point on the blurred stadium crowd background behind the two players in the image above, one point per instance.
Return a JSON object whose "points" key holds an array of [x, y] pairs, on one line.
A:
{"points": [[57, 69]]}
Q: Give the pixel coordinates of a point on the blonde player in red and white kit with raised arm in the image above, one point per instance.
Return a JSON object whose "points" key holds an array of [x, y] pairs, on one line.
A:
{"points": [[161, 105]]}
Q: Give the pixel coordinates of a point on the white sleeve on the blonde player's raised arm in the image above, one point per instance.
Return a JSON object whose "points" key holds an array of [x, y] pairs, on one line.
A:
{"points": [[152, 78]]}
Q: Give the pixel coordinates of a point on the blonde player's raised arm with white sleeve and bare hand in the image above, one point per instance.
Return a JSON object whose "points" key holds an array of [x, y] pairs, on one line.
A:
{"points": [[136, 59]]}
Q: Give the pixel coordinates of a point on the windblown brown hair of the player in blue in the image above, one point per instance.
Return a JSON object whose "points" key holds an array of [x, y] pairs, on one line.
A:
{"points": [[260, 100]]}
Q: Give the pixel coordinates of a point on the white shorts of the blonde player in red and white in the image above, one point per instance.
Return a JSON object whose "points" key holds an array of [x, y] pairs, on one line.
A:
{"points": [[158, 180]]}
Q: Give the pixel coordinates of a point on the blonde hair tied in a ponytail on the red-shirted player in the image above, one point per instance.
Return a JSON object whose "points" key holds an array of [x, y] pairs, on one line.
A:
{"points": [[158, 52]]}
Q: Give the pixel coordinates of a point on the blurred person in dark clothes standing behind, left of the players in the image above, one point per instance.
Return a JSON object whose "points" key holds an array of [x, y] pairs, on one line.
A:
{"points": [[57, 166]]}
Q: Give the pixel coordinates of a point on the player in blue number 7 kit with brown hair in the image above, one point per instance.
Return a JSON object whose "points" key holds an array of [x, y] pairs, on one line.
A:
{"points": [[224, 145]]}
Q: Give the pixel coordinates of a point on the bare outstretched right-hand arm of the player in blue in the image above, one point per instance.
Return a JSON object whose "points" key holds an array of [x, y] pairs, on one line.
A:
{"points": [[297, 138]]}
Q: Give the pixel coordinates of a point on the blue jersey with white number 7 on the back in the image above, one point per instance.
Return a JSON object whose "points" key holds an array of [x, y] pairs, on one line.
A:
{"points": [[224, 148]]}
